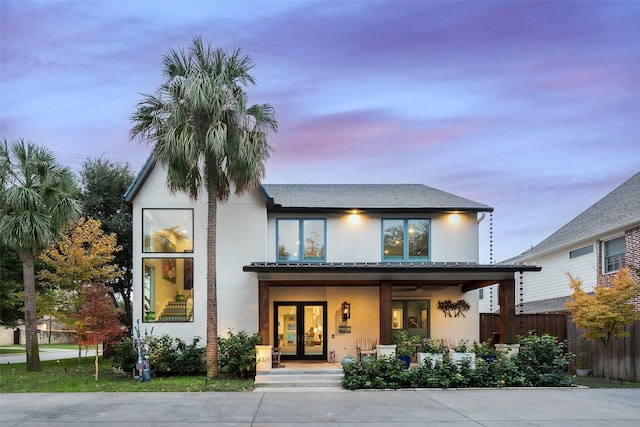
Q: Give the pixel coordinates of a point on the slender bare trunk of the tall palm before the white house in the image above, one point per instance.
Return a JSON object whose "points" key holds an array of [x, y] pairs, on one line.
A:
{"points": [[212, 287]]}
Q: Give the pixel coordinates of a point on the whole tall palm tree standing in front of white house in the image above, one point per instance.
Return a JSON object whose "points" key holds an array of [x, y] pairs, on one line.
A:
{"points": [[203, 133]]}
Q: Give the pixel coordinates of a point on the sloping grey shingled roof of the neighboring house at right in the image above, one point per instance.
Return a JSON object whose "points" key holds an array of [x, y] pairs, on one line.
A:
{"points": [[618, 209]]}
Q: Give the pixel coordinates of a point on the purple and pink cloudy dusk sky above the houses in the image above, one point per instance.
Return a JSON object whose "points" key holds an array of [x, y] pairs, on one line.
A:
{"points": [[530, 107]]}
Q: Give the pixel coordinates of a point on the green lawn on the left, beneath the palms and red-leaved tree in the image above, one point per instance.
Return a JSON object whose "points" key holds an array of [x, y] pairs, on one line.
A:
{"points": [[66, 375]]}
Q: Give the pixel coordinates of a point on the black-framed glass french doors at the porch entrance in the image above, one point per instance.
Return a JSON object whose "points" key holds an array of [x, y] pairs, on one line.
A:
{"points": [[299, 330]]}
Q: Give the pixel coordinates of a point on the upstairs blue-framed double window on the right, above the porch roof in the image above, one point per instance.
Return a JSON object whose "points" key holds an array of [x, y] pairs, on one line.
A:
{"points": [[405, 239]]}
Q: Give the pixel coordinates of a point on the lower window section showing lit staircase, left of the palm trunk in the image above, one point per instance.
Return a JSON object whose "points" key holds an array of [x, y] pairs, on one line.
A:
{"points": [[167, 289]]}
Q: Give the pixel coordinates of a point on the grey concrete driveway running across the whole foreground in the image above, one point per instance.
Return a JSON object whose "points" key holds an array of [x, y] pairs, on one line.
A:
{"points": [[453, 408]]}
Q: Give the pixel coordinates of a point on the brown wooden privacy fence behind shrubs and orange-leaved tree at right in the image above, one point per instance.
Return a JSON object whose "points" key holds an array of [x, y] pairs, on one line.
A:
{"points": [[625, 352]]}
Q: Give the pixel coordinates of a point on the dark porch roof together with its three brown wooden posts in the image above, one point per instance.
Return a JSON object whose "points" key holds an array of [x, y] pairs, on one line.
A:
{"points": [[388, 276]]}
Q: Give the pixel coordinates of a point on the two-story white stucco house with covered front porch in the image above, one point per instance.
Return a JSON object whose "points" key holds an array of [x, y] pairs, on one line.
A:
{"points": [[313, 268]]}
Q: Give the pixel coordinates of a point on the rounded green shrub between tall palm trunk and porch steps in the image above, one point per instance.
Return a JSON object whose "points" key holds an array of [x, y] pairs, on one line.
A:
{"points": [[237, 353]]}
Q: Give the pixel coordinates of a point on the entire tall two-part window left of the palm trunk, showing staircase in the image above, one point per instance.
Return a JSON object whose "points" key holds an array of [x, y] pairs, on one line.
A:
{"points": [[167, 283]]}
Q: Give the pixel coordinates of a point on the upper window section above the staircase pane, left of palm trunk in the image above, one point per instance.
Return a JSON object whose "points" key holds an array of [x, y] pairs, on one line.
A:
{"points": [[167, 230]]}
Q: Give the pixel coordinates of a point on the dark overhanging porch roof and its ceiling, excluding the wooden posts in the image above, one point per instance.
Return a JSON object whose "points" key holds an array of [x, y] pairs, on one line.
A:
{"points": [[428, 274]]}
